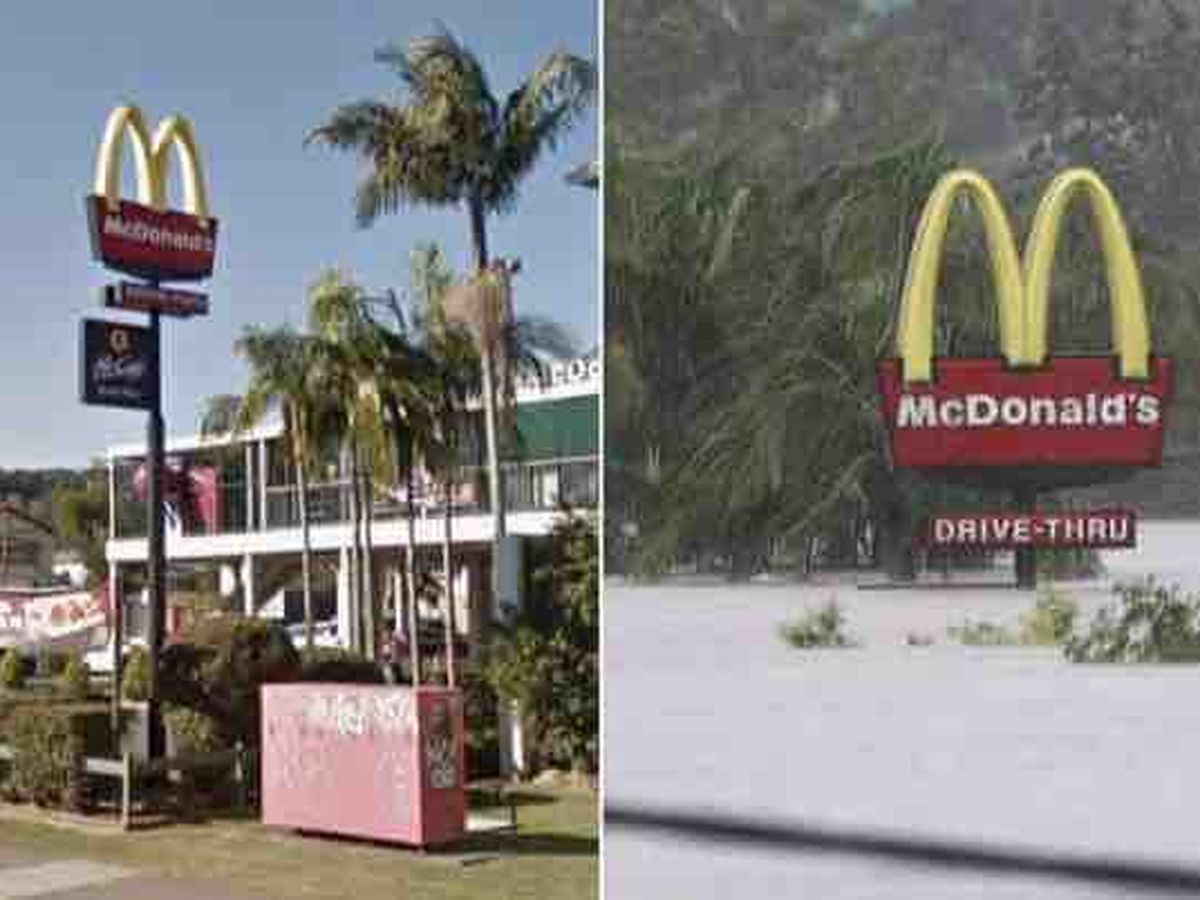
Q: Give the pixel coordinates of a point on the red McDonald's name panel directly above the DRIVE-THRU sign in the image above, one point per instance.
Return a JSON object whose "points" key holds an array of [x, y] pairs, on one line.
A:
{"points": [[1075, 412]]}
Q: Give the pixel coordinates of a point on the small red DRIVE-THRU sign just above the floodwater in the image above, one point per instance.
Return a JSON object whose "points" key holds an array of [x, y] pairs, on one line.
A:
{"points": [[1100, 529]]}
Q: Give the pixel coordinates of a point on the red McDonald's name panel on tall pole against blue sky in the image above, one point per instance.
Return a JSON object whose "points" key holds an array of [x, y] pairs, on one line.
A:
{"points": [[152, 244]]}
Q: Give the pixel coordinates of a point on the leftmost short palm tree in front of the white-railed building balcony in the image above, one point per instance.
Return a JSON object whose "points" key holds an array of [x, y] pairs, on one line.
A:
{"points": [[280, 375]]}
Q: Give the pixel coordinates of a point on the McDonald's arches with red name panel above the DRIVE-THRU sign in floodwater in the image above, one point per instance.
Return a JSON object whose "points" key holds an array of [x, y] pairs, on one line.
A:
{"points": [[1057, 419]]}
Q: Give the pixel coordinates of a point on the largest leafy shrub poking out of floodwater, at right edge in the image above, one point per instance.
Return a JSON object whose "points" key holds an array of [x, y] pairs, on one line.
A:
{"points": [[1153, 625]]}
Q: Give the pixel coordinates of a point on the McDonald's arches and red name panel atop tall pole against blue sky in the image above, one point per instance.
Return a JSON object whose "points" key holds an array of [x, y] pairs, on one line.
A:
{"points": [[145, 238]]}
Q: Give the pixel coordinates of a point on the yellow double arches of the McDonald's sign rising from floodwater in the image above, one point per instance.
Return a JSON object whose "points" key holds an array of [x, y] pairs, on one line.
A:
{"points": [[1023, 287]]}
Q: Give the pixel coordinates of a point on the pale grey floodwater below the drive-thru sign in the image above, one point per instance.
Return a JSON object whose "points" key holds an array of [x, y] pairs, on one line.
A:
{"points": [[707, 709]]}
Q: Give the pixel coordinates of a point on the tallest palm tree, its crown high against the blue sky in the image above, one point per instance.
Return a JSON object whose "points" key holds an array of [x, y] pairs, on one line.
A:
{"points": [[457, 145]]}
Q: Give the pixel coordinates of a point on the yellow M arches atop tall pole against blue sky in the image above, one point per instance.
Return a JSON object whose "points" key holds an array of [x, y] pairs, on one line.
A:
{"points": [[153, 160]]}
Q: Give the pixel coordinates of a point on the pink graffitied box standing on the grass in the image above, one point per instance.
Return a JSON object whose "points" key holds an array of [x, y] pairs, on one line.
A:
{"points": [[371, 761]]}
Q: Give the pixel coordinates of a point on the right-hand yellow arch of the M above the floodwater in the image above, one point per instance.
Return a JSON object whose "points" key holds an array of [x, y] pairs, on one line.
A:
{"points": [[1131, 329]]}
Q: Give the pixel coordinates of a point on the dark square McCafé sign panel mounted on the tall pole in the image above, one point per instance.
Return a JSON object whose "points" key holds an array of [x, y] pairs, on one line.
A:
{"points": [[118, 365]]}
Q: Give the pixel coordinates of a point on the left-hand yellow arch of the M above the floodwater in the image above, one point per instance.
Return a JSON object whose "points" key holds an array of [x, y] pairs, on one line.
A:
{"points": [[915, 334]]}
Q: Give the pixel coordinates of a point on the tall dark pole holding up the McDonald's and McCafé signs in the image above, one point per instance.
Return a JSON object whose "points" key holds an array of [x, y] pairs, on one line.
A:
{"points": [[157, 562]]}
